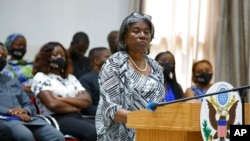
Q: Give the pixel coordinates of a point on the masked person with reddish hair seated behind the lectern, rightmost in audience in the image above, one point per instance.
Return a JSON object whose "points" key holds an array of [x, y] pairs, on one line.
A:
{"points": [[202, 73]]}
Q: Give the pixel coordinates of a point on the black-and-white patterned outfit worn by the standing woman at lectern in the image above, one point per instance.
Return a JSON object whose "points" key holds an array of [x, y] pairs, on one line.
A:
{"points": [[122, 87]]}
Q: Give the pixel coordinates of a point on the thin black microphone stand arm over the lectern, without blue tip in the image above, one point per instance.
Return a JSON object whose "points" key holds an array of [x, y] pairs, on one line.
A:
{"points": [[242, 93]]}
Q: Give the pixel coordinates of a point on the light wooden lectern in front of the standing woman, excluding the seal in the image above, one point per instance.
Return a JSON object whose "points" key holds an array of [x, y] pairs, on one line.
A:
{"points": [[173, 122]]}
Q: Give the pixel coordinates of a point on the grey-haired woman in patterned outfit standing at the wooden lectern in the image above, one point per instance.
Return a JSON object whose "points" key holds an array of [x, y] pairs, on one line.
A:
{"points": [[128, 80]]}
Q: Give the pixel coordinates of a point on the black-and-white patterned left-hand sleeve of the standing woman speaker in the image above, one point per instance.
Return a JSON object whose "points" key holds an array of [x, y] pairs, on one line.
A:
{"points": [[109, 90]]}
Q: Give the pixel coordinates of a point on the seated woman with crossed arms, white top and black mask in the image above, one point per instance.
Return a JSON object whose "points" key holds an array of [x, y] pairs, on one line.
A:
{"points": [[59, 94]]}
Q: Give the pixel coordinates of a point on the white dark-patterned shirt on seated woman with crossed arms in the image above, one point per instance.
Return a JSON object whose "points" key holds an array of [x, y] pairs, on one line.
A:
{"points": [[63, 87]]}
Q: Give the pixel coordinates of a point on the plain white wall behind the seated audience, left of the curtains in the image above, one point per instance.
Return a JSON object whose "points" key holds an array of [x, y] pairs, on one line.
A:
{"points": [[41, 21]]}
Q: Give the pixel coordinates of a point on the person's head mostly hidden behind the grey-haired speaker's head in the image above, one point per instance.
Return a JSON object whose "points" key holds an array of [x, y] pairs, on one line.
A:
{"points": [[112, 40]]}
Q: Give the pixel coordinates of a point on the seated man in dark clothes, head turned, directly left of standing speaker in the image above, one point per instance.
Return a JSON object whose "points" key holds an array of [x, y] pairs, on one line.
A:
{"points": [[89, 81]]}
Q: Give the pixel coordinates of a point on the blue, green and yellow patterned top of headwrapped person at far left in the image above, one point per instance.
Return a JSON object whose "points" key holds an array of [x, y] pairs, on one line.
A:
{"points": [[20, 70]]}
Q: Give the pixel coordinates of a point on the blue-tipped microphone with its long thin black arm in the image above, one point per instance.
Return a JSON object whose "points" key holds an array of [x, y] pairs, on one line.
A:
{"points": [[152, 106]]}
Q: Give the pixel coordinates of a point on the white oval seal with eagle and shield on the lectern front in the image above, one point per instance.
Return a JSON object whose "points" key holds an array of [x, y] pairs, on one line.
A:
{"points": [[218, 112]]}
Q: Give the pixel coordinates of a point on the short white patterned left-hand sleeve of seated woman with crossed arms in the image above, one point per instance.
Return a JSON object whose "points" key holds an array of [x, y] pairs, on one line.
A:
{"points": [[40, 83]]}
